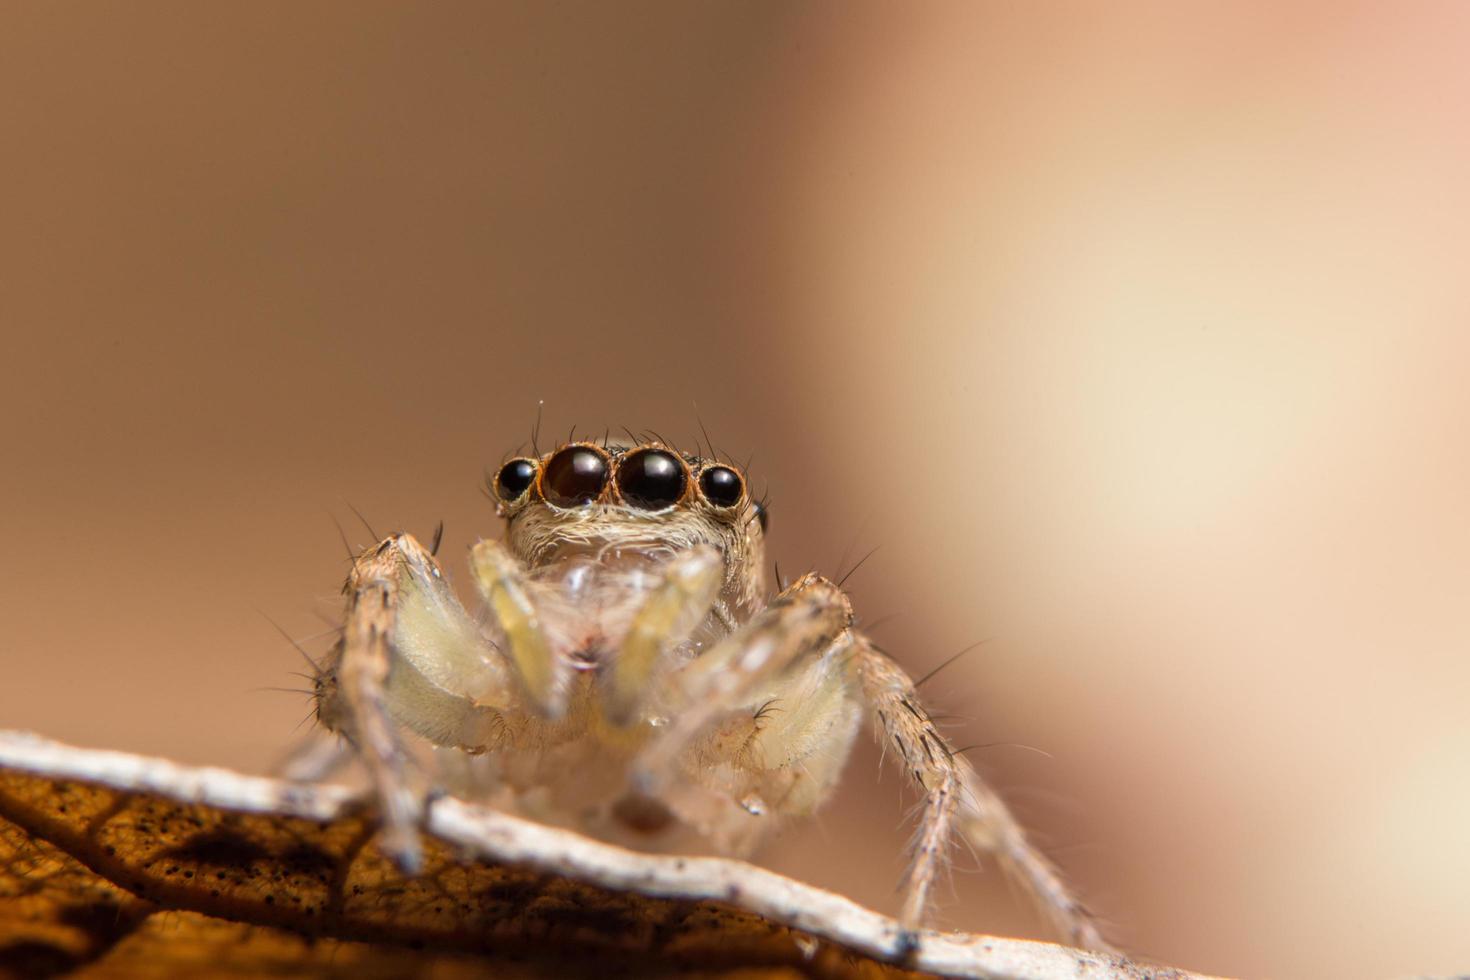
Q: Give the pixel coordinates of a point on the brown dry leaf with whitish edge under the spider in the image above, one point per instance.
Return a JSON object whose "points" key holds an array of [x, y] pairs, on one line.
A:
{"points": [[114, 865]]}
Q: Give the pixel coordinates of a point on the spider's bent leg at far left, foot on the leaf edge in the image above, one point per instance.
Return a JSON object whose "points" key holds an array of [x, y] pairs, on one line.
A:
{"points": [[409, 655]]}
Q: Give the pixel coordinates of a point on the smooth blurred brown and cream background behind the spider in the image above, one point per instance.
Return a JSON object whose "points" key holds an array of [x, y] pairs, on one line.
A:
{"points": [[1134, 336]]}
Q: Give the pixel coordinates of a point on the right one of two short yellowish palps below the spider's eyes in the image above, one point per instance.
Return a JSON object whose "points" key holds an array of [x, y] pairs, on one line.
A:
{"points": [[668, 618]]}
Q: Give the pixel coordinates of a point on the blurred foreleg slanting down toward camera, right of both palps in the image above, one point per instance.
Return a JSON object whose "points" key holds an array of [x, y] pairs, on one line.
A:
{"points": [[806, 619]]}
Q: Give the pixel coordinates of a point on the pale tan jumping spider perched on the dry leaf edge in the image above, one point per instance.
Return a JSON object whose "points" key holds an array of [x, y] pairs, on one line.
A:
{"points": [[634, 671]]}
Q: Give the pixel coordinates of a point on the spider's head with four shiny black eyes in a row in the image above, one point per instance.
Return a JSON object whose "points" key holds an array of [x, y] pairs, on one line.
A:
{"points": [[649, 500]]}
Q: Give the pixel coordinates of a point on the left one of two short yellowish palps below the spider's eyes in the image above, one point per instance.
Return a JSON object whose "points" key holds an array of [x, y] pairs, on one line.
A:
{"points": [[503, 584]]}
